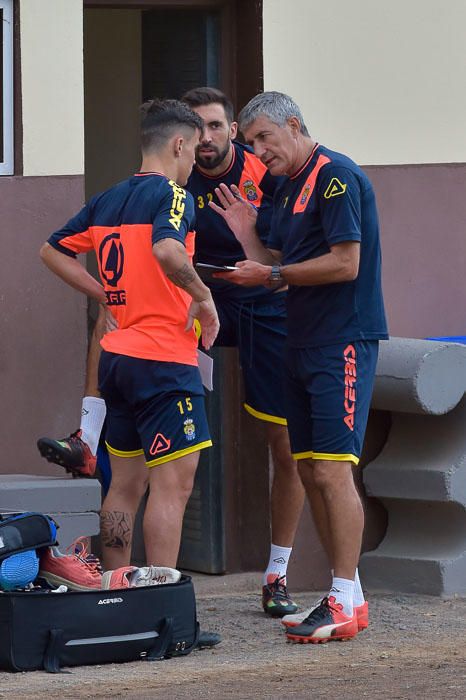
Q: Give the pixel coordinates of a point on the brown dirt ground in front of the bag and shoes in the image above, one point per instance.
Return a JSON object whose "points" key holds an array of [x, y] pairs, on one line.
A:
{"points": [[415, 647]]}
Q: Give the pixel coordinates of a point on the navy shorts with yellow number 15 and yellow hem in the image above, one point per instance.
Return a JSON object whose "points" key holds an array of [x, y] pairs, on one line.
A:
{"points": [[153, 408]]}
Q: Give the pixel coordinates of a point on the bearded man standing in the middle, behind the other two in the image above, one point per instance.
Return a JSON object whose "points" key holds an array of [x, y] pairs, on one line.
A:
{"points": [[253, 319]]}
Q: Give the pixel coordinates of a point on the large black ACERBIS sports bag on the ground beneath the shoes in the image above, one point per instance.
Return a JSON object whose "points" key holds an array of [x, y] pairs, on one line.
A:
{"points": [[42, 629]]}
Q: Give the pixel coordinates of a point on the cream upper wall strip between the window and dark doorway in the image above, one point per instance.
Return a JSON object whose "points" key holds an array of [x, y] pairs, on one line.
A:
{"points": [[52, 87]]}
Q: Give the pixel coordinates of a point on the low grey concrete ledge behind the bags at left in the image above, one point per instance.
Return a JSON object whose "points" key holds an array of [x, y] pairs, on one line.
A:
{"points": [[73, 503]]}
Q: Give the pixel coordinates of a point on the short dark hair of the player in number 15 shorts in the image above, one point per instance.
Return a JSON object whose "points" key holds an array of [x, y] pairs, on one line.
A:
{"points": [[161, 118]]}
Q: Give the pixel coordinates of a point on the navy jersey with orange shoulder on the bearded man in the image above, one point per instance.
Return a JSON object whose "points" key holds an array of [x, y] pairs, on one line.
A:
{"points": [[215, 242]]}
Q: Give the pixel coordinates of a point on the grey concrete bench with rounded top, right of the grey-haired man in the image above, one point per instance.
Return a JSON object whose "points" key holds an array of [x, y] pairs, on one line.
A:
{"points": [[420, 474]]}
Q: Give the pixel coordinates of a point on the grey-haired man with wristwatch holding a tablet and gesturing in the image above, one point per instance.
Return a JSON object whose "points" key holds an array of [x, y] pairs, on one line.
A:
{"points": [[325, 245]]}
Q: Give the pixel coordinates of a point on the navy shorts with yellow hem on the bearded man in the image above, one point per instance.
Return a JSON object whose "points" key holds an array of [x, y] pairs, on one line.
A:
{"points": [[258, 330]]}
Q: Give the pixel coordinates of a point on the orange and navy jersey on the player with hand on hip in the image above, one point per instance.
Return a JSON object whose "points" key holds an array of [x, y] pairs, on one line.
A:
{"points": [[121, 225]]}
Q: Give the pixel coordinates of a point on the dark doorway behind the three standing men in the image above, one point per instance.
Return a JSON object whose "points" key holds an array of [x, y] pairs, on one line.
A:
{"points": [[134, 51]]}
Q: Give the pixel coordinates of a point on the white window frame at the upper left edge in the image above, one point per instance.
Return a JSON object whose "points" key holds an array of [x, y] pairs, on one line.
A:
{"points": [[7, 164]]}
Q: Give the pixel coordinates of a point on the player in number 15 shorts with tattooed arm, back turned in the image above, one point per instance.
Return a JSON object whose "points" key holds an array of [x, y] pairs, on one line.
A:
{"points": [[141, 231]]}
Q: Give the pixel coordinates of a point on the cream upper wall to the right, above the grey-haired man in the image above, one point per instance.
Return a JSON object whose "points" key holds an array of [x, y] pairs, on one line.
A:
{"points": [[381, 81]]}
